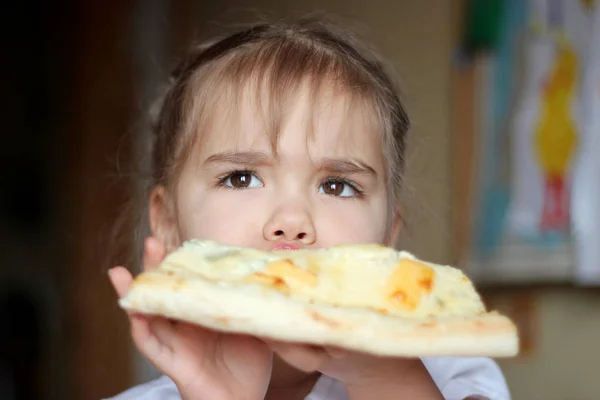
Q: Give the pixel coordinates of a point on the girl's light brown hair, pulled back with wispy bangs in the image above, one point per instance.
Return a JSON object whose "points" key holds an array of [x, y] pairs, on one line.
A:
{"points": [[272, 67]]}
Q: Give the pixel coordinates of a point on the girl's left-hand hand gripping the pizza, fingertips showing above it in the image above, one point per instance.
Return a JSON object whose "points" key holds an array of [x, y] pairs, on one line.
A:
{"points": [[203, 364]]}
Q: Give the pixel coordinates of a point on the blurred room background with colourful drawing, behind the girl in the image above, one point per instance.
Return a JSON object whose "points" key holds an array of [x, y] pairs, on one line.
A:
{"points": [[503, 171]]}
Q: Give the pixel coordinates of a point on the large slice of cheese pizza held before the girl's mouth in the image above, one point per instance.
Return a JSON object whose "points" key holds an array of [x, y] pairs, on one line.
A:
{"points": [[366, 298]]}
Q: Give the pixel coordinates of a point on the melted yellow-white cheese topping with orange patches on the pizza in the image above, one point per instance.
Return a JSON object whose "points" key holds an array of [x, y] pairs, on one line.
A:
{"points": [[356, 276]]}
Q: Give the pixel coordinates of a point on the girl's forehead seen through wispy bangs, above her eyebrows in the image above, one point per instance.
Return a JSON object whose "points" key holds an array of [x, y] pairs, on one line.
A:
{"points": [[327, 122]]}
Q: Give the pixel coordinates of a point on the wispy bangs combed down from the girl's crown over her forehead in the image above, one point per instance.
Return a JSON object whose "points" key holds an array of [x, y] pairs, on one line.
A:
{"points": [[272, 76]]}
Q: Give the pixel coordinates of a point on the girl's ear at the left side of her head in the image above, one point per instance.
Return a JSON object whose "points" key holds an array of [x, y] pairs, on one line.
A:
{"points": [[163, 222]]}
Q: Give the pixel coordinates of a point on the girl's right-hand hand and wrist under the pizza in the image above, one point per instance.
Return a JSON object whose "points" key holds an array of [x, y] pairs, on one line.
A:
{"points": [[364, 376]]}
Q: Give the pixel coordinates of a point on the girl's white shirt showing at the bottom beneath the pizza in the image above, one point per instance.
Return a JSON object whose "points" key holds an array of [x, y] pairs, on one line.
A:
{"points": [[457, 379]]}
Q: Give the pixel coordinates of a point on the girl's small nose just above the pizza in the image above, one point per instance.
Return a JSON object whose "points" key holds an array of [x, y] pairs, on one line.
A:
{"points": [[290, 224]]}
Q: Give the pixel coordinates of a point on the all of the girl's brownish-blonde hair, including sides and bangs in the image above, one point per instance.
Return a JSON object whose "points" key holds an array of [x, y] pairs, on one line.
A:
{"points": [[277, 58]]}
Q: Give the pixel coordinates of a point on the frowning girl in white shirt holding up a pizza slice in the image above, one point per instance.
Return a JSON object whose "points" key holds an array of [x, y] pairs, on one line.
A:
{"points": [[281, 137]]}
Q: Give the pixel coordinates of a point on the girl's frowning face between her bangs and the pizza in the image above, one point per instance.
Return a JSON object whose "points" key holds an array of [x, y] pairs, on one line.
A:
{"points": [[320, 189]]}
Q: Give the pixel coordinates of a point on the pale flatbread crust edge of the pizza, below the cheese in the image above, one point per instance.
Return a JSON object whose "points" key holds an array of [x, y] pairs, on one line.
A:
{"points": [[264, 312]]}
